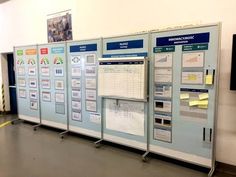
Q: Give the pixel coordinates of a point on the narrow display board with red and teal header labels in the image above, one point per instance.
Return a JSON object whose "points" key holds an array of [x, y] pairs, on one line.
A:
{"points": [[53, 84]]}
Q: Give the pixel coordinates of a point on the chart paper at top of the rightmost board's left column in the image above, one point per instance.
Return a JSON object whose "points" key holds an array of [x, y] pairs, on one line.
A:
{"points": [[163, 60]]}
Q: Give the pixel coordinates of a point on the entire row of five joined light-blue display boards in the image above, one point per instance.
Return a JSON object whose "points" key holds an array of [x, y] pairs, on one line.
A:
{"points": [[58, 85]]}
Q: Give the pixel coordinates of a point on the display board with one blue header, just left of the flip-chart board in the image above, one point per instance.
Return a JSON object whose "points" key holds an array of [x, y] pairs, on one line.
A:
{"points": [[84, 105]]}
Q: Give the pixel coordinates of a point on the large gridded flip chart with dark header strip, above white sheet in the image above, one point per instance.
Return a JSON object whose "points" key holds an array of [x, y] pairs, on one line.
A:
{"points": [[122, 79]]}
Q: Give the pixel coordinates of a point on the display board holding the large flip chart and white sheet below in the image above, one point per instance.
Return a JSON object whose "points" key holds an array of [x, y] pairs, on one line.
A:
{"points": [[122, 84]]}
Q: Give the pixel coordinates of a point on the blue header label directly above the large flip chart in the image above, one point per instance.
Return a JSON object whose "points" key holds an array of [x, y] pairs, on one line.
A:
{"points": [[121, 45]]}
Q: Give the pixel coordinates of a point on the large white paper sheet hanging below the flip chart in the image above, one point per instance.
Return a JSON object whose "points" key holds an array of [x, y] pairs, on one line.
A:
{"points": [[125, 116]]}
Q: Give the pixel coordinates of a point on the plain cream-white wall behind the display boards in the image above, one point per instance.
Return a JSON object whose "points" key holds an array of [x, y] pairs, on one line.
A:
{"points": [[24, 22]]}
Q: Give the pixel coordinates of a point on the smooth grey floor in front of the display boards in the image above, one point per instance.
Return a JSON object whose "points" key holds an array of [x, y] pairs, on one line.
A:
{"points": [[41, 153]]}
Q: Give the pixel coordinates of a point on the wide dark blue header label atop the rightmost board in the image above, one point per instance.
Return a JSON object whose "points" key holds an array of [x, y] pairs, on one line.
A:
{"points": [[183, 39]]}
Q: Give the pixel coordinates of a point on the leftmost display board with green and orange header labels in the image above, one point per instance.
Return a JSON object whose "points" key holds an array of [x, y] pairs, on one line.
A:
{"points": [[26, 64]]}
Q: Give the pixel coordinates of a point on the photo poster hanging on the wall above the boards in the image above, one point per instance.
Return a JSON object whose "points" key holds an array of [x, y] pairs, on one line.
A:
{"points": [[59, 26]]}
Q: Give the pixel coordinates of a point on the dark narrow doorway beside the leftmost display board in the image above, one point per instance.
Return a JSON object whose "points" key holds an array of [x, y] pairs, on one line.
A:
{"points": [[12, 84]]}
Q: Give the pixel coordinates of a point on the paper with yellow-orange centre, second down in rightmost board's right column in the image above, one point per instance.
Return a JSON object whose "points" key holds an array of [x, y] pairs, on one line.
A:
{"points": [[192, 77]]}
